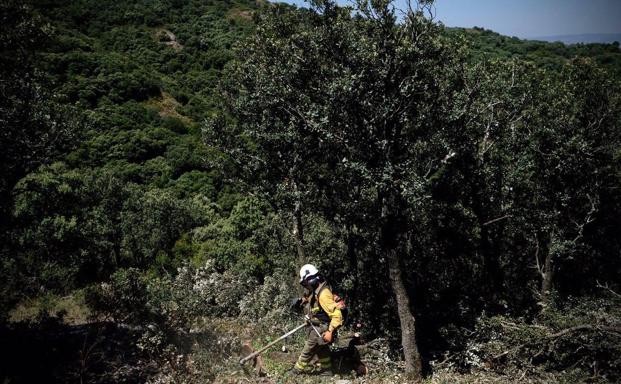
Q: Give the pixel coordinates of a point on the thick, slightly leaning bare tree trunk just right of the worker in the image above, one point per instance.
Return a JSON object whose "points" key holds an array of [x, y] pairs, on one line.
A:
{"points": [[392, 229]]}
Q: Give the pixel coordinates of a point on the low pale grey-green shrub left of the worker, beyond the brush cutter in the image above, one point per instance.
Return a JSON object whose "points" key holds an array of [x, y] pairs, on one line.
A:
{"points": [[170, 302]]}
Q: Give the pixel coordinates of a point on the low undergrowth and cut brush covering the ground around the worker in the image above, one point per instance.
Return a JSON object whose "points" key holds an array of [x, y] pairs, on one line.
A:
{"points": [[190, 329]]}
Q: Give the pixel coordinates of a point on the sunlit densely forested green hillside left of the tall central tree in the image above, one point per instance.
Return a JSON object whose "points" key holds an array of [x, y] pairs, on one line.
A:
{"points": [[138, 93]]}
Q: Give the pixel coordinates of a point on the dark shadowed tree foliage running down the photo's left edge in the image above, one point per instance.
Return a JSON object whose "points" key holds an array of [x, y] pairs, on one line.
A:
{"points": [[34, 129]]}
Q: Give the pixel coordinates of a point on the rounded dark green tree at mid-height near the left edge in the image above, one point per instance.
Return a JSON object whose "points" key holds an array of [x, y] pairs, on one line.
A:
{"points": [[62, 228]]}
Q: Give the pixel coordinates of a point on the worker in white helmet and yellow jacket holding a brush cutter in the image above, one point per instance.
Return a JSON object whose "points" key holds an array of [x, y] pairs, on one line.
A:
{"points": [[325, 318]]}
